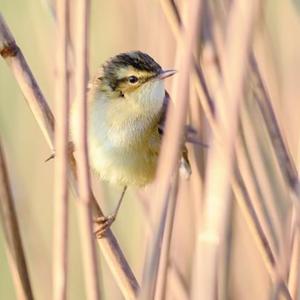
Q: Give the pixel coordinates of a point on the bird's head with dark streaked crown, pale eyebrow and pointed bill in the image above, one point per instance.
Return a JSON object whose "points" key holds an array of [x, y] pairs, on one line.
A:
{"points": [[134, 76]]}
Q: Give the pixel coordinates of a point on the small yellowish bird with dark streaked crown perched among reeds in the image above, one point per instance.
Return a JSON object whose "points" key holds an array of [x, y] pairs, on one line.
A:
{"points": [[127, 104]]}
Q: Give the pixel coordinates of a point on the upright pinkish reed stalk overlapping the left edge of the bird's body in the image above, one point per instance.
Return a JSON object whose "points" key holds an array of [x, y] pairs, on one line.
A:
{"points": [[90, 265]]}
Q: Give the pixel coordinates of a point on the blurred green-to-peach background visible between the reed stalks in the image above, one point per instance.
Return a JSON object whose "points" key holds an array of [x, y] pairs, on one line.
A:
{"points": [[118, 26]]}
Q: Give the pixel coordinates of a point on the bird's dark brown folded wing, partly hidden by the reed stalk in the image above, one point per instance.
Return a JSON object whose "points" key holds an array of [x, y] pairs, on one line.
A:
{"points": [[185, 167]]}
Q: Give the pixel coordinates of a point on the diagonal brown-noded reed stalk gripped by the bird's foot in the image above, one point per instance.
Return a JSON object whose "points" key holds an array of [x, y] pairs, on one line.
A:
{"points": [[41, 111]]}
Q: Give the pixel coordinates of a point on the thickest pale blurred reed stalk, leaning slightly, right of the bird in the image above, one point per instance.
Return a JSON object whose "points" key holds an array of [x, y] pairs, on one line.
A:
{"points": [[220, 160]]}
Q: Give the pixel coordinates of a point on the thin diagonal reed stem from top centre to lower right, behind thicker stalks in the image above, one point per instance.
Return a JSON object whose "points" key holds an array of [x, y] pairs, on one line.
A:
{"points": [[246, 204]]}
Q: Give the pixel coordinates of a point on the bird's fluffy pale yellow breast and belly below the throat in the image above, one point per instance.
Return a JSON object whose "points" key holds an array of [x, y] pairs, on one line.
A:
{"points": [[123, 142]]}
